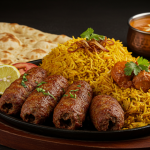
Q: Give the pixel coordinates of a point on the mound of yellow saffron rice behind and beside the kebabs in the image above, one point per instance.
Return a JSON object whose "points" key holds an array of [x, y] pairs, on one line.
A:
{"points": [[95, 69]]}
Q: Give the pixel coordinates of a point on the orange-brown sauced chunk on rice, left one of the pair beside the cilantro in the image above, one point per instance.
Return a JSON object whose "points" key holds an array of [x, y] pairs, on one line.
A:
{"points": [[118, 74]]}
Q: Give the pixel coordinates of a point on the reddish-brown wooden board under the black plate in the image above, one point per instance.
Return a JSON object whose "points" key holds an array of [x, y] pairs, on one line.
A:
{"points": [[22, 140]]}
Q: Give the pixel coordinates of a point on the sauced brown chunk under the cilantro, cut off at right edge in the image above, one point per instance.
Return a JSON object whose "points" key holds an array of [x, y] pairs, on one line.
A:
{"points": [[142, 81]]}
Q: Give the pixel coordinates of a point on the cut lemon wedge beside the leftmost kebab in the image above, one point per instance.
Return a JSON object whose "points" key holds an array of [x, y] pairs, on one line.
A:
{"points": [[8, 74]]}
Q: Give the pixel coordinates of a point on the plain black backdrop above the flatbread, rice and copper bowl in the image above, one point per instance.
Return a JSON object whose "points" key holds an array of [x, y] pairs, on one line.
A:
{"points": [[106, 17]]}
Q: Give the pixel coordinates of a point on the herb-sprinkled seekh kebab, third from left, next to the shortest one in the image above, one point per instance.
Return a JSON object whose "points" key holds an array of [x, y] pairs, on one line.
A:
{"points": [[70, 112]]}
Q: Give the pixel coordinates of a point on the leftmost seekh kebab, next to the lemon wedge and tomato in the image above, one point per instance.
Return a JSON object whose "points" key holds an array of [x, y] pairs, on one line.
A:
{"points": [[15, 95]]}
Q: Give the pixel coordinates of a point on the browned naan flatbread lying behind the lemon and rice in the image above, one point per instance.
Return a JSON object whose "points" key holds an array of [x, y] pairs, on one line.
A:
{"points": [[20, 43]]}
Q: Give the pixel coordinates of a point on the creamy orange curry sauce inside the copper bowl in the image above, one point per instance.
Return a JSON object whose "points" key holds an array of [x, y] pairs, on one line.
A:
{"points": [[142, 24]]}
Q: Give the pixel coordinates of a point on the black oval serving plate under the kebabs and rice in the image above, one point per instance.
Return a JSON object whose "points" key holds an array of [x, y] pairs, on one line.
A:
{"points": [[116, 134]]}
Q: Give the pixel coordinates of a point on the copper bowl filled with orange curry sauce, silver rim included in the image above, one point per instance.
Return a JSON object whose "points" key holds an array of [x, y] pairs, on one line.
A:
{"points": [[138, 37]]}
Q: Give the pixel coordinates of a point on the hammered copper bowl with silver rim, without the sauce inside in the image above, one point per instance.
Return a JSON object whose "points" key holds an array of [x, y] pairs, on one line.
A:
{"points": [[139, 41]]}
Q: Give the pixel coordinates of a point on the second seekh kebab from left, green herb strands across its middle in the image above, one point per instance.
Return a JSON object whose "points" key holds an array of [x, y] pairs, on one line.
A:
{"points": [[40, 104]]}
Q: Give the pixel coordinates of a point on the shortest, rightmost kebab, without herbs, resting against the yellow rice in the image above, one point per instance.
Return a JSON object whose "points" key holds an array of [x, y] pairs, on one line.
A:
{"points": [[106, 113]]}
